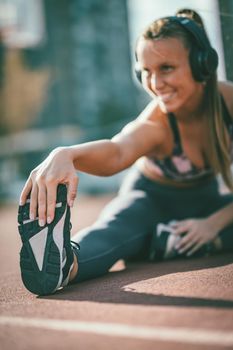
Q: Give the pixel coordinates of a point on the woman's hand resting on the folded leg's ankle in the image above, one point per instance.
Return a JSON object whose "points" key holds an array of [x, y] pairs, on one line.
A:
{"points": [[197, 233]]}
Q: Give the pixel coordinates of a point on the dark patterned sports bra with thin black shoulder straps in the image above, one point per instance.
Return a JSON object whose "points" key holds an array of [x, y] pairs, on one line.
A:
{"points": [[178, 166]]}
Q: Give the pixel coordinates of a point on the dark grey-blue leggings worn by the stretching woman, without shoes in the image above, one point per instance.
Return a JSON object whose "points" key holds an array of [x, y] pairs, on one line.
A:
{"points": [[125, 227]]}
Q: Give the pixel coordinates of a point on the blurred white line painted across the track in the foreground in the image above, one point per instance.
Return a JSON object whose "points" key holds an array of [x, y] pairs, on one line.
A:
{"points": [[181, 335]]}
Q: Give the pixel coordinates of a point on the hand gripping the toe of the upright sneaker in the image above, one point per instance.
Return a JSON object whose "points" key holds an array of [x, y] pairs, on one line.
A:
{"points": [[43, 181]]}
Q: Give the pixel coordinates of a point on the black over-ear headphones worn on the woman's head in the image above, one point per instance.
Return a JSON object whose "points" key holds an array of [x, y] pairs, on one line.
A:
{"points": [[203, 58]]}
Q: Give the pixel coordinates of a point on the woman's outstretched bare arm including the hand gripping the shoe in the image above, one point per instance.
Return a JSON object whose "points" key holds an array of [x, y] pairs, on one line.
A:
{"points": [[104, 157]]}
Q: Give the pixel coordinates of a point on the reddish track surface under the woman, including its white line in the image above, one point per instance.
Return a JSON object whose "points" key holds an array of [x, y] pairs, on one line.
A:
{"points": [[185, 304]]}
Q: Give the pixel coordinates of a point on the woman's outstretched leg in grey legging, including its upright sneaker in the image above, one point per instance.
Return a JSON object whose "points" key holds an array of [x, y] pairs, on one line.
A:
{"points": [[47, 255]]}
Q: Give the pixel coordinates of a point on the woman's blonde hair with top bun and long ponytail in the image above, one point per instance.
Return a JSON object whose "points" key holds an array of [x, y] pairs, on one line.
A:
{"points": [[218, 152]]}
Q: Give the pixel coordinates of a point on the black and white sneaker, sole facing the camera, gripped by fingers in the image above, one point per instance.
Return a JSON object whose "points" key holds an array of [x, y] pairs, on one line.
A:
{"points": [[46, 256]]}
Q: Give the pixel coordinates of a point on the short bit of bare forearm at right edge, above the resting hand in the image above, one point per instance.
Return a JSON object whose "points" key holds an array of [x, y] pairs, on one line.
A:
{"points": [[222, 218]]}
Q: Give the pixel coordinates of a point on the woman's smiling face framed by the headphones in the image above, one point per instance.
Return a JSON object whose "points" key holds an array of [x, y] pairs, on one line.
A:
{"points": [[166, 73]]}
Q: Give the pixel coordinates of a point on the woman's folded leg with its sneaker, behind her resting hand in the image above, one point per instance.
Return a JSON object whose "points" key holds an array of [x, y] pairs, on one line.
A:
{"points": [[199, 202]]}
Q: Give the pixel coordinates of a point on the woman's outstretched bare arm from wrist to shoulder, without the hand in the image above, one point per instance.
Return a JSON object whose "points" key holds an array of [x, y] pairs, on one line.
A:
{"points": [[107, 157]]}
